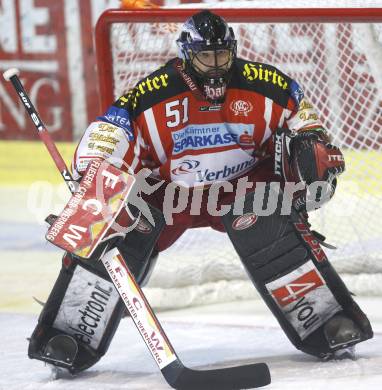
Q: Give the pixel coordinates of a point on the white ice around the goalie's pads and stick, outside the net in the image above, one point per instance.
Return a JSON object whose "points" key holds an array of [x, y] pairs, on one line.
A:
{"points": [[225, 334]]}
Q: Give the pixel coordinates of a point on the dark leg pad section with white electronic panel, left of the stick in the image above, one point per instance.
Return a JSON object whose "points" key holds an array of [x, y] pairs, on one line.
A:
{"points": [[83, 306]]}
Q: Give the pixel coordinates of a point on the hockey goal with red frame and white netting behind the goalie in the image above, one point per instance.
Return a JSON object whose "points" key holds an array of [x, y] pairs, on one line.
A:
{"points": [[336, 56]]}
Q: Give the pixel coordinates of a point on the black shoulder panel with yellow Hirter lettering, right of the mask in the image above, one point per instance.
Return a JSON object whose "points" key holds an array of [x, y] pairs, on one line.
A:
{"points": [[264, 79]]}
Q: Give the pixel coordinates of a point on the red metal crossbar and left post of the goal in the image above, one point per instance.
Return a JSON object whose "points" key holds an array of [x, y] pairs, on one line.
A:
{"points": [[243, 15]]}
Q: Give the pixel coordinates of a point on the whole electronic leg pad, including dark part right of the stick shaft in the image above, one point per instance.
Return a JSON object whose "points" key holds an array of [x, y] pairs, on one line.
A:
{"points": [[84, 309]]}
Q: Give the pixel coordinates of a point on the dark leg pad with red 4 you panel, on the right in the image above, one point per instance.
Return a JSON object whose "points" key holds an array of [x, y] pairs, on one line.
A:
{"points": [[293, 275]]}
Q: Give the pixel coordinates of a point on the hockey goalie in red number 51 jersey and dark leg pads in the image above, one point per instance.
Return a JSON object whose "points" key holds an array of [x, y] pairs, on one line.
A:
{"points": [[215, 132]]}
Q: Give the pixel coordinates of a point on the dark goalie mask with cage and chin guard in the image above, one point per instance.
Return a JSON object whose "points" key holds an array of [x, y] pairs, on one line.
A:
{"points": [[208, 47]]}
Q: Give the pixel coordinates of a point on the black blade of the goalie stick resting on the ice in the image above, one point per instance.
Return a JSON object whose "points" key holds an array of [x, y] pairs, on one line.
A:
{"points": [[240, 377]]}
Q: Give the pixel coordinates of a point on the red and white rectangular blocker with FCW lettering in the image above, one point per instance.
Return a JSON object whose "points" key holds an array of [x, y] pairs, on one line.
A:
{"points": [[96, 212]]}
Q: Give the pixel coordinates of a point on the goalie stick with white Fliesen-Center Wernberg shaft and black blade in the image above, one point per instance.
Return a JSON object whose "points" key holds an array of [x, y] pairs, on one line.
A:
{"points": [[176, 374]]}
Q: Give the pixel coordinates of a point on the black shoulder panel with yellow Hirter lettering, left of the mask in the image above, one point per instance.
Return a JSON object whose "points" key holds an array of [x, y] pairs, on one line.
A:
{"points": [[158, 86]]}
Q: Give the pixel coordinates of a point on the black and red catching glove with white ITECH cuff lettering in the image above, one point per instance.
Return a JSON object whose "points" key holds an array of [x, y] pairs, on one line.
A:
{"points": [[310, 158]]}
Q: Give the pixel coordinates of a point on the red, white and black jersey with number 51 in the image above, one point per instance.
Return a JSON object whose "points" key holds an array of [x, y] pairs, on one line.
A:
{"points": [[165, 125]]}
